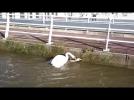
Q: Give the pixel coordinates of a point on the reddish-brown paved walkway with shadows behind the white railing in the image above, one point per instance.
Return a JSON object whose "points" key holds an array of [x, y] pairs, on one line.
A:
{"points": [[72, 41]]}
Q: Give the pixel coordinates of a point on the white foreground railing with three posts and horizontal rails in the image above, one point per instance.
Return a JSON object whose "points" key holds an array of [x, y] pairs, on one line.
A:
{"points": [[51, 25]]}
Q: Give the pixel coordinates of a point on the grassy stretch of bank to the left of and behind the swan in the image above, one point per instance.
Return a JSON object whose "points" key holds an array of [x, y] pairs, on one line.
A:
{"points": [[31, 49]]}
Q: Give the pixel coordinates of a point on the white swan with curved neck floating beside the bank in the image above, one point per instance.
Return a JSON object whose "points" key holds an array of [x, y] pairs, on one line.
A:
{"points": [[59, 60]]}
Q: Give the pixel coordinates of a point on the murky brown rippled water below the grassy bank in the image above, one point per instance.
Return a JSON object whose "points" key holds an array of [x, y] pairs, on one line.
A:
{"points": [[32, 71]]}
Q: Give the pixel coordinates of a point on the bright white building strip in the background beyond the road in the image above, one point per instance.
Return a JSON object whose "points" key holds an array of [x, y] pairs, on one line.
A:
{"points": [[38, 15]]}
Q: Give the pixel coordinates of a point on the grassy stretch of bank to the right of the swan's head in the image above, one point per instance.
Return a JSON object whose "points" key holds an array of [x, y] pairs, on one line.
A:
{"points": [[103, 58]]}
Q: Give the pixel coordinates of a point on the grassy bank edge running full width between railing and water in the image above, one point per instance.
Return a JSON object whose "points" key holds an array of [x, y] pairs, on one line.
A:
{"points": [[88, 55]]}
